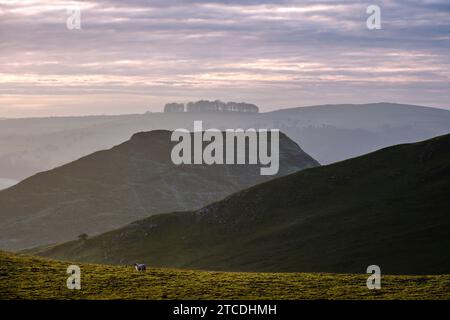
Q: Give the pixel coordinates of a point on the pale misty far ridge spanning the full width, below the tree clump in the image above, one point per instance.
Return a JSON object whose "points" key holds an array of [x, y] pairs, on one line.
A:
{"points": [[328, 133]]}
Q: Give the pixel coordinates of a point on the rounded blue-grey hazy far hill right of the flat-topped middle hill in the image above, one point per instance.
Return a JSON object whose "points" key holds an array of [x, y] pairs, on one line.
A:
{"points": [[332, 133]]}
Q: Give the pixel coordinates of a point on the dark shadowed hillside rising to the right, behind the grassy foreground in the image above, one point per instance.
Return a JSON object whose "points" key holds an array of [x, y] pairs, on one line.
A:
{"points": [[389, 208]]}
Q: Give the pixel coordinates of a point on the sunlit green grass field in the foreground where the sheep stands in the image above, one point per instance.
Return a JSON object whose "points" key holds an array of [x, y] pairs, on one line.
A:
{"points": [[26, 277]]}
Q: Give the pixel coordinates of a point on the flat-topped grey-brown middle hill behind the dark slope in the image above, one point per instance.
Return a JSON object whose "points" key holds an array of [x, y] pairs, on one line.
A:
{"points": [[111, 188]]}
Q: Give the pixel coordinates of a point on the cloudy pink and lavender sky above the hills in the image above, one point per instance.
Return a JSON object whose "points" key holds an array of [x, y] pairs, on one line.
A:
{"points": [[134, 56]]}
